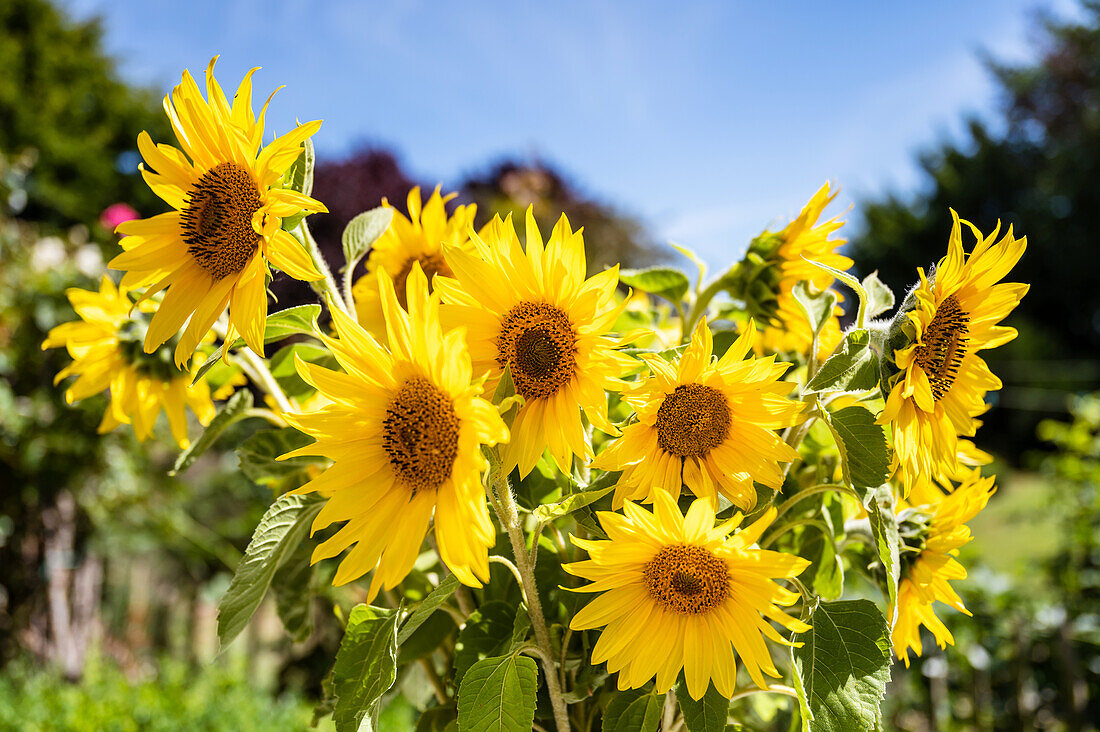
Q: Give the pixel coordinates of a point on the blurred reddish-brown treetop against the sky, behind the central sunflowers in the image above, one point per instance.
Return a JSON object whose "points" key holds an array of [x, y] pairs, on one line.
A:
{"points": [[611, 237]]}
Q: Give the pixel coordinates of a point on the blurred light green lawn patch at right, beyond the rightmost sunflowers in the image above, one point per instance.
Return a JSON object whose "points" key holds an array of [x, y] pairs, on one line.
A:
{"points": [[1019, 530]]}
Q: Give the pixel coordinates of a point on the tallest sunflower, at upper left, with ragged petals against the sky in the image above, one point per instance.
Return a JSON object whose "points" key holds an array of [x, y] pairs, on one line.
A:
{"points": [[214, 249]]}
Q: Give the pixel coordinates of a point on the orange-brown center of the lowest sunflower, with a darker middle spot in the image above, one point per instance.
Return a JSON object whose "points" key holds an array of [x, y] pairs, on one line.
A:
{"points": [[688, 580]]}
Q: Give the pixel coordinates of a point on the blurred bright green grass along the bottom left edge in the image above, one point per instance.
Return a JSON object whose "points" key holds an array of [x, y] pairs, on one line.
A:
{"points": [[177, 697]]}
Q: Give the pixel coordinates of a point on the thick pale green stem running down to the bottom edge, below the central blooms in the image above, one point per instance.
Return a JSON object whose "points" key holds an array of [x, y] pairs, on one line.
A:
{"points": [[509, 514]]}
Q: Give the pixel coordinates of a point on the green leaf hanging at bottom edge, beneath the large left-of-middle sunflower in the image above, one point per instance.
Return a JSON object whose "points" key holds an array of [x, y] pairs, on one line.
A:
{"points": [[366, 669]]}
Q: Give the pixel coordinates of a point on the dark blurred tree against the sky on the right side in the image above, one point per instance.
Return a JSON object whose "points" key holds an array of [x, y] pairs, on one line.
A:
{"points": [[1039, 176]]}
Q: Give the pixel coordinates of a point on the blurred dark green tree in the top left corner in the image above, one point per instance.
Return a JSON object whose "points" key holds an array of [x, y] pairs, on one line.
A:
{"points": [[61, 97]]}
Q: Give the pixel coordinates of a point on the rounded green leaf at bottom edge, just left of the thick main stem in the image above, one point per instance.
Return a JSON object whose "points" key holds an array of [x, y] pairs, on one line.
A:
{"points": [[498, 695]]}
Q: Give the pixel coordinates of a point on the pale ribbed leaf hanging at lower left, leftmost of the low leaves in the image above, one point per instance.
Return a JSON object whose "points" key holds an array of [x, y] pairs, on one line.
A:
{"points": [[278, 536]]}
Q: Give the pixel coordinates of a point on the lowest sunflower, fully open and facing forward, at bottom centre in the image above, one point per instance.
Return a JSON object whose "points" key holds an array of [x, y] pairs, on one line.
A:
{"points": [[679, 593]]}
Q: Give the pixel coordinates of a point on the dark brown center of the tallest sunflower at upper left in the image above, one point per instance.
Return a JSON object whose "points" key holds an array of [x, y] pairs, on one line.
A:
{"points": [[217, 222]]}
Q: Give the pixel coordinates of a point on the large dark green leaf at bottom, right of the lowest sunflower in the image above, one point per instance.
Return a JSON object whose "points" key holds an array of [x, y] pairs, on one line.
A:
{"points": [[843, 668]]}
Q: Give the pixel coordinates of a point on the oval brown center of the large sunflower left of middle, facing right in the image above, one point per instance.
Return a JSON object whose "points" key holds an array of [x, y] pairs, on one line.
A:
{"points": [[421, 435]]}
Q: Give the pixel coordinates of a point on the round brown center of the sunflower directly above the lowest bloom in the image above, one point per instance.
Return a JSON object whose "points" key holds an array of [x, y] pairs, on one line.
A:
{"points": [[692, 421]]}
